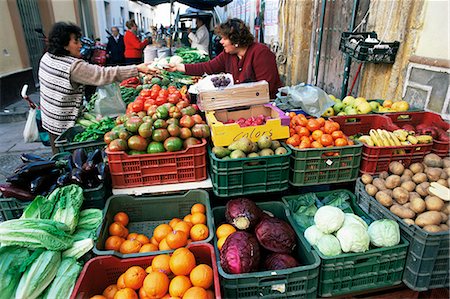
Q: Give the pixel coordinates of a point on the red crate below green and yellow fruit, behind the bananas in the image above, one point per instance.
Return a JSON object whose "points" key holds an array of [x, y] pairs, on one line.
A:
{"points": [[361, 124]]}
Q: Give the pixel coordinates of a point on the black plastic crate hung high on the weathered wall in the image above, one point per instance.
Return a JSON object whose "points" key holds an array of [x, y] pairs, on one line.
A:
{"points": [[355, 45]]}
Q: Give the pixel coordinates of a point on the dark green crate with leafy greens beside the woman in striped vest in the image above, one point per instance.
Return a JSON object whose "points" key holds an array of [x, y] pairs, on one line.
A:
{"points": [[64, 142]]}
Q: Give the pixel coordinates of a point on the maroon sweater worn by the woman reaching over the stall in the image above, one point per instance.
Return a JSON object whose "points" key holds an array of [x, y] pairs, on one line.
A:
{"points": [[257, 64]]}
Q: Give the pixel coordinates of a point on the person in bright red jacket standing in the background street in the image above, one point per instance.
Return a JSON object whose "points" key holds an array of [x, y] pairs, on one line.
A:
{"points": [[133, 46]]}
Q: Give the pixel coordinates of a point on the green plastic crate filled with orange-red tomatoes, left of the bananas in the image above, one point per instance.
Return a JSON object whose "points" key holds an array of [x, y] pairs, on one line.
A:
{"points": [[325, 165]]}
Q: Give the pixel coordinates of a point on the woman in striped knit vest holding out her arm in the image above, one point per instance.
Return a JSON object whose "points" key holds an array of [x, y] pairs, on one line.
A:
{"points": [[63, 74]]}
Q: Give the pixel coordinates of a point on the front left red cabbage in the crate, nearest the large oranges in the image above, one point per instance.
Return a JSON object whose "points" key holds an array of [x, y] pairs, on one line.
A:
{"points": [[240, 253]]}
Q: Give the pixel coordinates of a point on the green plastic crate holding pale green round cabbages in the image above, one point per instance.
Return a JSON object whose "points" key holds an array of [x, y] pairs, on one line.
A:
{"points": [[354, 272]]}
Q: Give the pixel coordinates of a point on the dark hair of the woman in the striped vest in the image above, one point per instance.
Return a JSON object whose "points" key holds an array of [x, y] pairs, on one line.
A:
{"points": [[59, 37]]}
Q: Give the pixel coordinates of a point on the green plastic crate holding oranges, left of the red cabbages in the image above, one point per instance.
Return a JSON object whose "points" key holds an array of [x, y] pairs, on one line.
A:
{"points": [[146, 213]]}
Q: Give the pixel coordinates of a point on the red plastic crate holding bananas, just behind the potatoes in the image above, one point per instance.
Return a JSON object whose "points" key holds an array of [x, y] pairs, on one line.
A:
{"points": [[376, 159]]}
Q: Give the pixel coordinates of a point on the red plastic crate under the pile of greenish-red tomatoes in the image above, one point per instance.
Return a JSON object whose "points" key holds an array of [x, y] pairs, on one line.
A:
{"points": [[129, 171]]}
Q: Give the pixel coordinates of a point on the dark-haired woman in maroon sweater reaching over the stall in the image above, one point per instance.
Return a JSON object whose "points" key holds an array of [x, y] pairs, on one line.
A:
{"points": [[246, 60]]}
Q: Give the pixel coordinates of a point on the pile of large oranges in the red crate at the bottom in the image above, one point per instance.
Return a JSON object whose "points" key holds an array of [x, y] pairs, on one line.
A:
{"points": [[176, 276]]}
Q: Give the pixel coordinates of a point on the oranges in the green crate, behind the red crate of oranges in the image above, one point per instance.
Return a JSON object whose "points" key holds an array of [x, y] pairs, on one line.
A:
{"points": [[167, 236]]}
